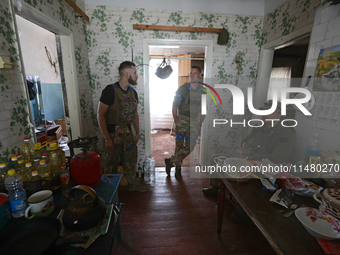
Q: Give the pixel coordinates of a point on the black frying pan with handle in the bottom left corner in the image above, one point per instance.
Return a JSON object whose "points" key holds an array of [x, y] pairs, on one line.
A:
{"points": [[32, 237]]}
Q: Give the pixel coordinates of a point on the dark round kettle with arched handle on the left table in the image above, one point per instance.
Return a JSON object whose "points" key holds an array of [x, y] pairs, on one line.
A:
{"points": [[84, 211]]}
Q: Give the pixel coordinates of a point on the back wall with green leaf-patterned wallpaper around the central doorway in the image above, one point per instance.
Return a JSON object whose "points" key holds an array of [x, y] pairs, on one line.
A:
{"points": [[112, 38]]}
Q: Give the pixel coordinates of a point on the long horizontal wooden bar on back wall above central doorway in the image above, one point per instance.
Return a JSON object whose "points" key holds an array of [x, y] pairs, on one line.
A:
{"points": [[177, 28]]}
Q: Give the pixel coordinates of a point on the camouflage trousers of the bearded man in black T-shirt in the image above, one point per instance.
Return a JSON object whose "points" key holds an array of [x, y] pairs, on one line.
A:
{"points": [[125, 151]]}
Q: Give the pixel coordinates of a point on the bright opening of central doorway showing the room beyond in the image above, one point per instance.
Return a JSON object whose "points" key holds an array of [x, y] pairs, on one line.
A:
{"points": [[162, 92]]}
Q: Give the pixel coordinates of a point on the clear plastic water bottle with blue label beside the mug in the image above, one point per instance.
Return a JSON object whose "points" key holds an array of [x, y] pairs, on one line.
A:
{"points": [[16, 194]]}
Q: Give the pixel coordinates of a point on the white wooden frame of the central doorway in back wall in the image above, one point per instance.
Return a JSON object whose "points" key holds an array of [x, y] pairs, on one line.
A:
{"points": [[204, 45]]}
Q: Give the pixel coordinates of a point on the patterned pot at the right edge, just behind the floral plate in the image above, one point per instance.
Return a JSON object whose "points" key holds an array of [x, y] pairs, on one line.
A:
{"points": [[330, 200]]}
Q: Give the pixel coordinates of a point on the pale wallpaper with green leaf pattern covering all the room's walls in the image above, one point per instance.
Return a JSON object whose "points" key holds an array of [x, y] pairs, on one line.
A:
{"points": [[109, 39]]}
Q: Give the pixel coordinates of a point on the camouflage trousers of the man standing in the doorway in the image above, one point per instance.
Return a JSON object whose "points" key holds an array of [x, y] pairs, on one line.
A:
{"points": [[186, 134]]}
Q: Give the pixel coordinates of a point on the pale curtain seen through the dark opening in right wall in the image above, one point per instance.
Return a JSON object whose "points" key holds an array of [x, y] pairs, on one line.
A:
{"points": [[280, 77]]}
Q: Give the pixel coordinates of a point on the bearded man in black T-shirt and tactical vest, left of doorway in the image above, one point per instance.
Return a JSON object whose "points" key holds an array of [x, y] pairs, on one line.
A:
{"points": [[118, 120]]}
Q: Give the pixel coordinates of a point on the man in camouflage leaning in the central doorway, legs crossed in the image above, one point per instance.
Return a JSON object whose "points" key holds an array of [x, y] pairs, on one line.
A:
{"points": [[186, 113]]}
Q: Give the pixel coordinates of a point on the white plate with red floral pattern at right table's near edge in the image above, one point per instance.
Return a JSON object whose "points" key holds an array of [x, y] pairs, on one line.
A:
{"points": [[318, 223]]}
